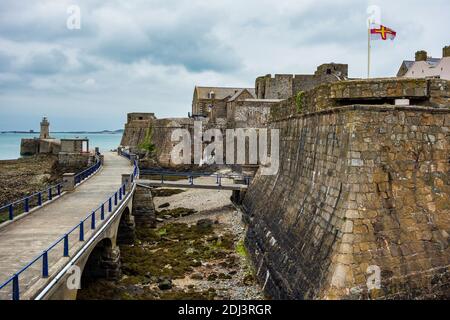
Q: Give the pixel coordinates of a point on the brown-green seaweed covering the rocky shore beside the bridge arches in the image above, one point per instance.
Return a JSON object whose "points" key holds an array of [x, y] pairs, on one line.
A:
{"points": [[167, 253]]}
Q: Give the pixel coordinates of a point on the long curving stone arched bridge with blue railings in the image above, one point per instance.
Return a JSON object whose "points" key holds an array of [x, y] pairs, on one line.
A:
{"points": [[46, 252]]}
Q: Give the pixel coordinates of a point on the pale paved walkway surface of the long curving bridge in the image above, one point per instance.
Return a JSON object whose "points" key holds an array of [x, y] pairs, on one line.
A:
{"points": [[25, 239]]}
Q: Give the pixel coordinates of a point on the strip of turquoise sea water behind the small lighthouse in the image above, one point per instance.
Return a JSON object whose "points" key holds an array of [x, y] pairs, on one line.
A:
{"points": [[10, 142]]}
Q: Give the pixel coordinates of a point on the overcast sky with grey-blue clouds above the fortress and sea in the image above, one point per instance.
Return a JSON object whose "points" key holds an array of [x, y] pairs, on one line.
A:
{"points": [[147, 55]]}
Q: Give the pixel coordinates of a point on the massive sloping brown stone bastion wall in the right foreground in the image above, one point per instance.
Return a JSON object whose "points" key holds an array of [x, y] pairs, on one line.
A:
{"points": [[358, 186]]}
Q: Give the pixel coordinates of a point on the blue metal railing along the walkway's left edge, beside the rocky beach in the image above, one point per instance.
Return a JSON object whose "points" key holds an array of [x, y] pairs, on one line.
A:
{"points": [[39, 198]]}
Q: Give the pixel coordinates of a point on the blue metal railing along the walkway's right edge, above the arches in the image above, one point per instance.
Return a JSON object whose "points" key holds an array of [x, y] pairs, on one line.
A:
{"points": [[92, 218]]}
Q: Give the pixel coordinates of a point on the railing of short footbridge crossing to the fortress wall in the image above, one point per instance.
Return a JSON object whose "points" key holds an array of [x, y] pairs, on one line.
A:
{"points": [[191, 175]]}
